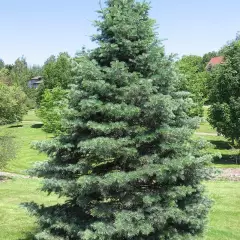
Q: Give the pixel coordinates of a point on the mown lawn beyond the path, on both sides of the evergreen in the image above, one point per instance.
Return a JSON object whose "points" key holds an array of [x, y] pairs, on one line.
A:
{"points": [[30, 130]]}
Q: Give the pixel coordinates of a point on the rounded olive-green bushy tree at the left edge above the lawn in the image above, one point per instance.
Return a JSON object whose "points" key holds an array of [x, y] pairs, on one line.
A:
{"points": [[12, 104]]}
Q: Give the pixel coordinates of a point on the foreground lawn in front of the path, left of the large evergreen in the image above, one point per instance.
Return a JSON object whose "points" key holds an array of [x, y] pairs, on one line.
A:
{"points": [[15, 222]]}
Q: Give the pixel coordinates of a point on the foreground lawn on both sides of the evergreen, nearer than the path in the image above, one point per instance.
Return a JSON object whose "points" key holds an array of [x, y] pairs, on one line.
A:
{"points": [[16, 224]]}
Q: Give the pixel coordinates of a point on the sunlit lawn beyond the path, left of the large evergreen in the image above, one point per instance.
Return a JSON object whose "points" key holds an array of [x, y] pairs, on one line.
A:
{"points": [[26, 133]]}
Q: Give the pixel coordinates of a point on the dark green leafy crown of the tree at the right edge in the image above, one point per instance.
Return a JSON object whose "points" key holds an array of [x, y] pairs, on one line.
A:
{"points": [[224, 85]]}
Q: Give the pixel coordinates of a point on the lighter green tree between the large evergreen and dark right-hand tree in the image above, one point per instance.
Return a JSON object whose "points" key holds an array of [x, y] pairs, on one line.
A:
{"points": [[194, 80]]}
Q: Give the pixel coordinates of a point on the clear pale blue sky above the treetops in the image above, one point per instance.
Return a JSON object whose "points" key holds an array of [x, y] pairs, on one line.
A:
{"points": [[38, 29]]}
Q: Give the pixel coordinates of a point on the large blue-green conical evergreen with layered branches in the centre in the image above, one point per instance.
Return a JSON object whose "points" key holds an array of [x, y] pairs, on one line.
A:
{"points": [[126, 165]]}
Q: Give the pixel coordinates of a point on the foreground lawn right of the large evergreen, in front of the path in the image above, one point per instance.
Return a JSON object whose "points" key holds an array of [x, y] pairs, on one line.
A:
{"points": [[225, 215]]}
